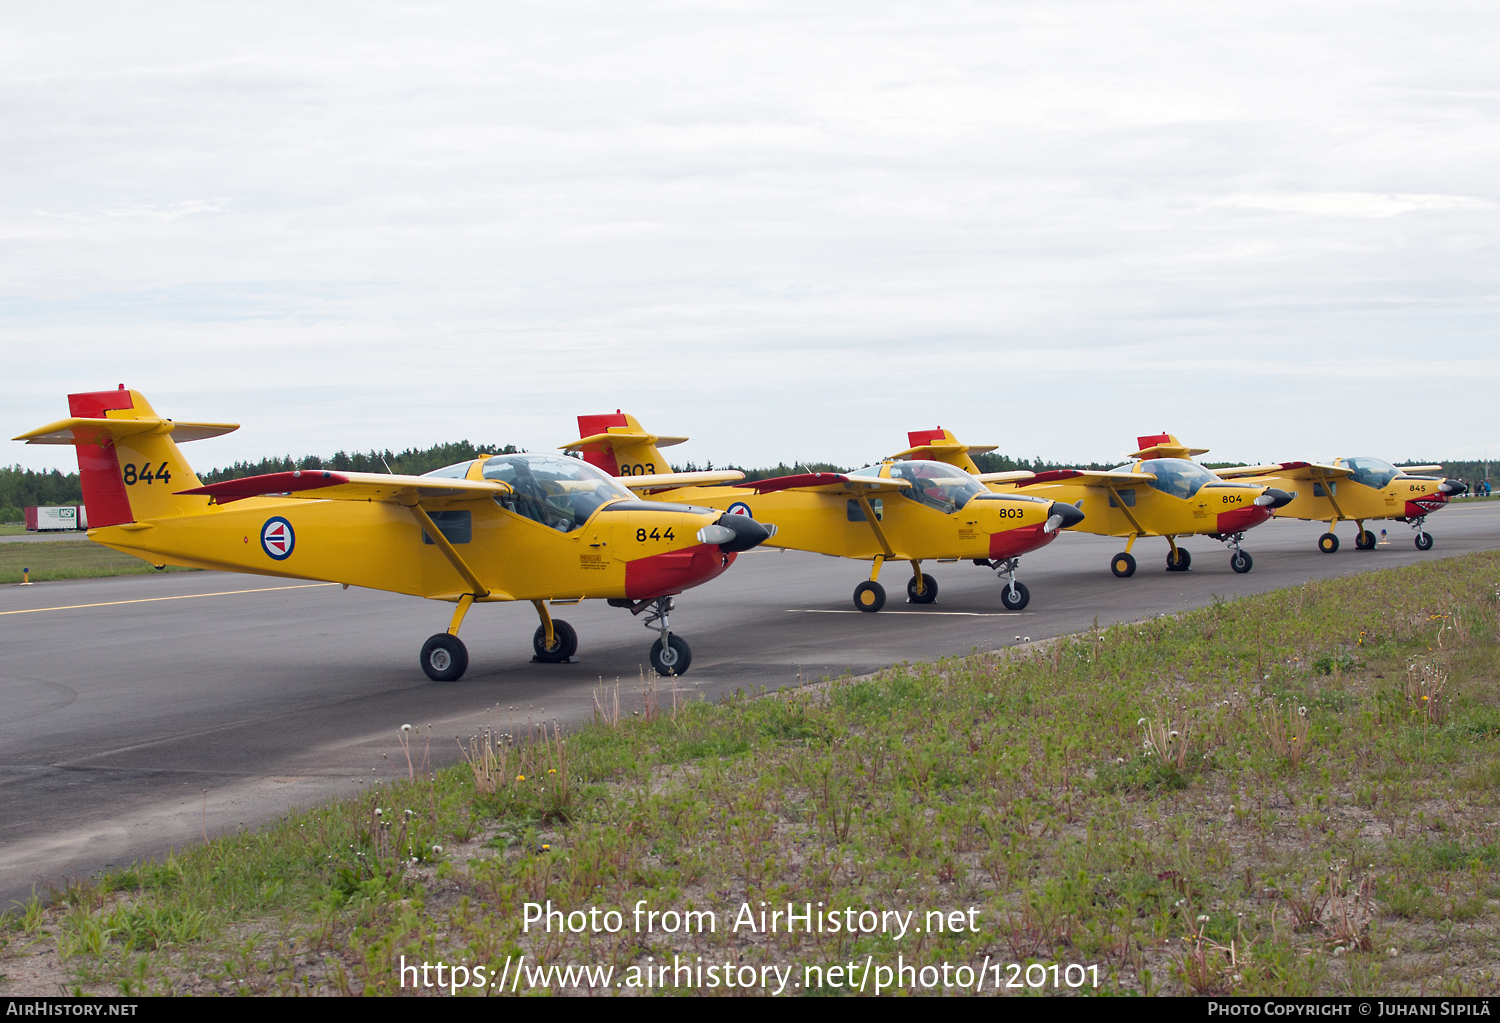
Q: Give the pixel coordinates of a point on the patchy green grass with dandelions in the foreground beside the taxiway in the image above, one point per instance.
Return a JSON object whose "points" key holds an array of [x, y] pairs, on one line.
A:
{"points": [[1286, 794]]}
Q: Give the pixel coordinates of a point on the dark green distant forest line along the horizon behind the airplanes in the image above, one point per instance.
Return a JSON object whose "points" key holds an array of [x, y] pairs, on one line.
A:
{"points": [[22, 488]]}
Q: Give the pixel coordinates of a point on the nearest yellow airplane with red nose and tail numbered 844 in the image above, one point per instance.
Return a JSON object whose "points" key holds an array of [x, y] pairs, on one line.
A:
{"points": [[532, 527]]}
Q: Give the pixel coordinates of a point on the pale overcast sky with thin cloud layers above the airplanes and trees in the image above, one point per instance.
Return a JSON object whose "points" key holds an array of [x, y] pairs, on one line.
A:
{"points": [[791, 232]]}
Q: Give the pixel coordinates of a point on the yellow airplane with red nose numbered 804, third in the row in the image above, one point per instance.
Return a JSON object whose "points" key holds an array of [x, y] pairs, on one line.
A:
{"points": [[1163, 494]]}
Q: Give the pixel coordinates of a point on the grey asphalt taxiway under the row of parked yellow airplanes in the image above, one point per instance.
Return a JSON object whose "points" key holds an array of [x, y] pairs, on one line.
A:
{"points": [[145, 712]]}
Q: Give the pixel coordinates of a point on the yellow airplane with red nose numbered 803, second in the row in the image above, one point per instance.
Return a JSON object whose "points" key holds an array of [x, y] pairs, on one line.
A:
{"points": [[935, 512]]}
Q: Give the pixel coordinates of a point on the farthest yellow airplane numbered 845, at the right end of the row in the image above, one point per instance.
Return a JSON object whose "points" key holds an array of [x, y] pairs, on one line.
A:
{"points": [[1372, 490]]}
